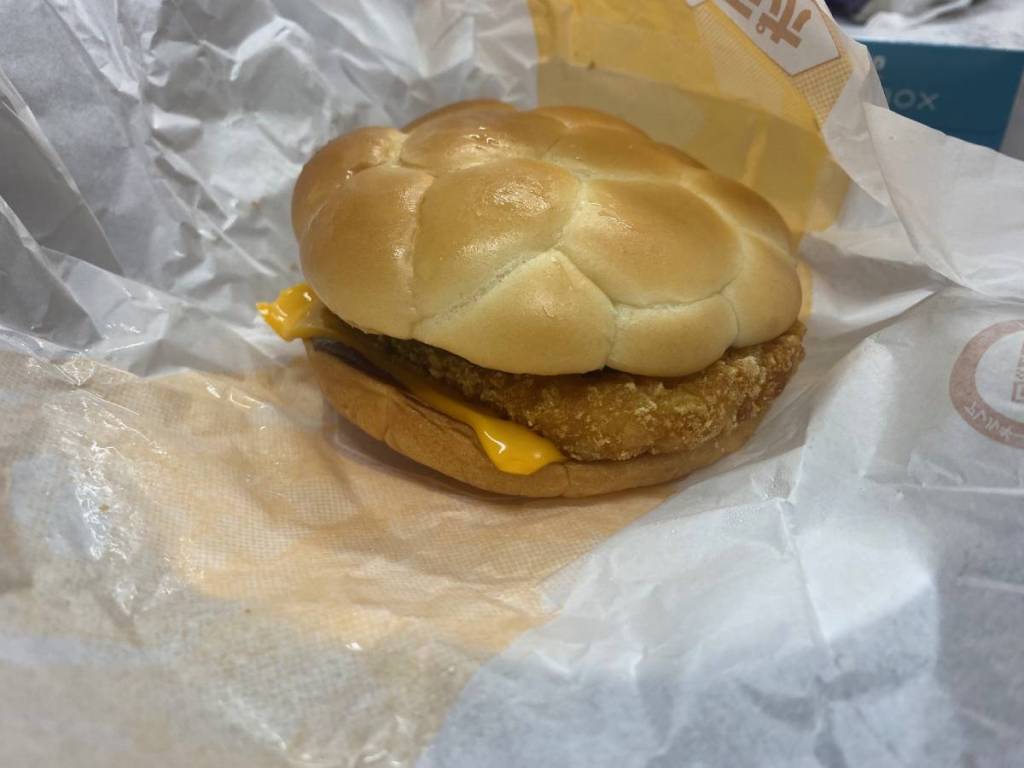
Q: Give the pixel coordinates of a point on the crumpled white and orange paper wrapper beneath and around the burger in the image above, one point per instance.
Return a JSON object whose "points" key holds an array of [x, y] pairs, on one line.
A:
{"points": [[200, 566]]}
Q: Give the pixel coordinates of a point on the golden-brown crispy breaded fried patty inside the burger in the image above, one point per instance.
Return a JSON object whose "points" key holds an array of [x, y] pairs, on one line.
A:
{"points": [[611, 415]]}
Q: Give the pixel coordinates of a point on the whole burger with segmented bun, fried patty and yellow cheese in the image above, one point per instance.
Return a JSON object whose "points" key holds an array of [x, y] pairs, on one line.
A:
{"points": [[542, 304]]}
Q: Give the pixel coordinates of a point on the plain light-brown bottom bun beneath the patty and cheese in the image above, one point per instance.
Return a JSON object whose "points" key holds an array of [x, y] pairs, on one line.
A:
{"points": [[430, 438]]}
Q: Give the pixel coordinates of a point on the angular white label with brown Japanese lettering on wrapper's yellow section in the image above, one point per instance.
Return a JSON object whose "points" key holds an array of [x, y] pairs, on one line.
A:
{"points": [[792, 33]]}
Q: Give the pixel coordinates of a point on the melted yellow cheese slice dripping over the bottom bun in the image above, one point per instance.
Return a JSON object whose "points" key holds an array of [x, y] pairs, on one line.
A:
{"points": [[298, 314]]}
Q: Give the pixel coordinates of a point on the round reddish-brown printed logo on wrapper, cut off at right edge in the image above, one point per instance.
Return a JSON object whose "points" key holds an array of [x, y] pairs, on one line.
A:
{"points": [[988, 383]]}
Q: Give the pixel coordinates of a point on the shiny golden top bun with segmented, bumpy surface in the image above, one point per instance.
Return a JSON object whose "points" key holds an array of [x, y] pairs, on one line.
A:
{"points": [[554, 241]]}
